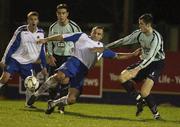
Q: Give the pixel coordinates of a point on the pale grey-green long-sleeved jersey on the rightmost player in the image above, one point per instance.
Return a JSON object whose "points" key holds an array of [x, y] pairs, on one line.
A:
{"points": [[152, 46]]}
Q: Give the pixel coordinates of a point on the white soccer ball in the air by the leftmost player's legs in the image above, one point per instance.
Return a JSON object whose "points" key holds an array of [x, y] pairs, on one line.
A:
{"points": [[31, 83]]}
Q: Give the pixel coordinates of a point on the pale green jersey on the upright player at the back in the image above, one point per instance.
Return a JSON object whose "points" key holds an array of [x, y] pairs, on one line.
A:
{"points": [[62, 48]]}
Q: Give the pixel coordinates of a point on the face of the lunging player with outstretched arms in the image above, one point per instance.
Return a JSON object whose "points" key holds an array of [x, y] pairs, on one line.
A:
{"points": [[97, 34]]}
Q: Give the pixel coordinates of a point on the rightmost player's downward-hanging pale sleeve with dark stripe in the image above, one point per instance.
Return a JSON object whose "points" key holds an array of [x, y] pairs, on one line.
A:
{"points": [[155, 46]]}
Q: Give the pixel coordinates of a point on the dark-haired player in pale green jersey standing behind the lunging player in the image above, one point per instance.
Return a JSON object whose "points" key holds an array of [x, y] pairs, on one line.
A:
{"points": [[60, 51]]}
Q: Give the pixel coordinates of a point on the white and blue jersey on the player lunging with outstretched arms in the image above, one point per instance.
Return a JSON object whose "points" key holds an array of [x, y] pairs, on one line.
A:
{"points": [[83, 43]]}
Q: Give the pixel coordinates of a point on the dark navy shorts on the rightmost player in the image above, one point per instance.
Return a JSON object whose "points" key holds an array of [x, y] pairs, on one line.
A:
{"points": [[152, 71]]}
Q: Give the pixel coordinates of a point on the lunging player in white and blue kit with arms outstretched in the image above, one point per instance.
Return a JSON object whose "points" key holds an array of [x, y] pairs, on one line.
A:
{"points": [[75, 69]]}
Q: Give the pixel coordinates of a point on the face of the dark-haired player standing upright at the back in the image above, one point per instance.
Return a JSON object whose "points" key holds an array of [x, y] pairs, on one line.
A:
{"points": [[62, 15]]}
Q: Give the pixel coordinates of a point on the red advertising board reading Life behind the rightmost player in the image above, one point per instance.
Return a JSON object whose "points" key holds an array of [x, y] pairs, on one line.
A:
{"points": [[168, 82]]}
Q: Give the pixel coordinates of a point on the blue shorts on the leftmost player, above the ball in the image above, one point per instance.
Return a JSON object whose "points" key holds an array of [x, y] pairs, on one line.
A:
{"points": [[14, 66]]}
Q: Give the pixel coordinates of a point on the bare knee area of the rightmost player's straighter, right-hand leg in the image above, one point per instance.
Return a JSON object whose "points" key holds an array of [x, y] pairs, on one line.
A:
{"points": [[146, 87]]}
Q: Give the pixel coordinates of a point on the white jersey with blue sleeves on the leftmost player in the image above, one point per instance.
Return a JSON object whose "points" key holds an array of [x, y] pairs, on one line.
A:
{"points": [[23, 47]]}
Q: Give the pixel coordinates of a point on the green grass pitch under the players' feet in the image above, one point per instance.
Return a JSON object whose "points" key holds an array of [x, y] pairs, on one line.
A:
{"points": [[13, 114]]}
